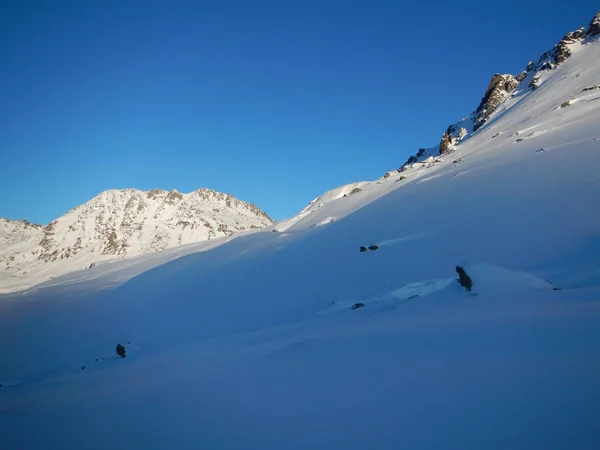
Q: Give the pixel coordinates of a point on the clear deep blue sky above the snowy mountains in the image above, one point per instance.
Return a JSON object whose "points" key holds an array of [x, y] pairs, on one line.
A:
{"points": [[274, 102]]}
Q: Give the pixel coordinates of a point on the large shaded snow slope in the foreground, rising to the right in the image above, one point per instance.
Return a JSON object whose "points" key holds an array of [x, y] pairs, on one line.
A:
{"points": [[301, 339]]}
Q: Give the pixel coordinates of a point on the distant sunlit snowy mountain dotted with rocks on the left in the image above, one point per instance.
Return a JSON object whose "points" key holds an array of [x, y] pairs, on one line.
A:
{"points": [[118, 223]]}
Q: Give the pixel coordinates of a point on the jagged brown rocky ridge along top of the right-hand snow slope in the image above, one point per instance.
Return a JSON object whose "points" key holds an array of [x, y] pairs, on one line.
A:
{"points": [[502, 87]]}
